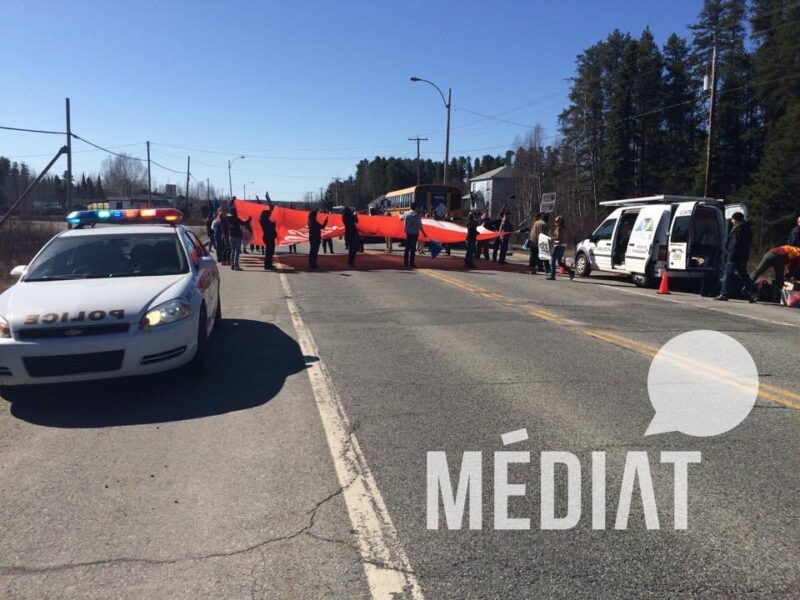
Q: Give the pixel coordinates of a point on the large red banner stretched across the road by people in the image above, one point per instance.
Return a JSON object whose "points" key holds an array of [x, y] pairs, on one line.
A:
{"points": [[292, 226]]}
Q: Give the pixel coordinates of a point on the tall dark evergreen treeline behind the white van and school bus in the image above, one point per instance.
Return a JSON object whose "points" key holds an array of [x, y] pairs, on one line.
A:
{"points": [[637, 123]]}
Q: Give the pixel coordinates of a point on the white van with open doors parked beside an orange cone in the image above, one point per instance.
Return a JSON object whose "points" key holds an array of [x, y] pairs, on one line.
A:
{"points": [[644, 237]]}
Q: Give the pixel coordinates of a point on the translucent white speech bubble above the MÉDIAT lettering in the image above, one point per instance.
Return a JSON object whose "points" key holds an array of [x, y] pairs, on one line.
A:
{"points": [[701, 383]]}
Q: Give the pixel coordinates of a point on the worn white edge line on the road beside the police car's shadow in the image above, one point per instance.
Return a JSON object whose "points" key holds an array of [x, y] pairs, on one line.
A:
{"points": [[386, 565]]}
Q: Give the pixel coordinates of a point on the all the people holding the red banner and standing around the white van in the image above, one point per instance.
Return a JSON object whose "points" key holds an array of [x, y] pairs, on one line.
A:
{"points": [[229, 237]]}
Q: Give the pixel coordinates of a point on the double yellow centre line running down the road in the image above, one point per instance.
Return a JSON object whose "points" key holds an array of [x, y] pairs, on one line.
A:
{"points": [[766, 391]]}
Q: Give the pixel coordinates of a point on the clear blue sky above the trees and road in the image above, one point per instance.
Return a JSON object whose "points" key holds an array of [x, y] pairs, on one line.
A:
{"points": [[302, 89]]}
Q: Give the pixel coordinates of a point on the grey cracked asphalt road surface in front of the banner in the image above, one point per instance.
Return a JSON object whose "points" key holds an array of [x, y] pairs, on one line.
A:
{"points": [[236, 486]]}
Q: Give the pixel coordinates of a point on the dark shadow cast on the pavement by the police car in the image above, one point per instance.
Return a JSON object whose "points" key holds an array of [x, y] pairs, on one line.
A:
{"points": [[250, 360]]}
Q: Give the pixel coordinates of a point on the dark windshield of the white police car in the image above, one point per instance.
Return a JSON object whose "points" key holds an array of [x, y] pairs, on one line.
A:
{"points": [[113, 255]]}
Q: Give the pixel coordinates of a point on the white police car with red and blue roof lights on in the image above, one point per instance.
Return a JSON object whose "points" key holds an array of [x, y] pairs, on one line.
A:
{"points": [[136, 296]]}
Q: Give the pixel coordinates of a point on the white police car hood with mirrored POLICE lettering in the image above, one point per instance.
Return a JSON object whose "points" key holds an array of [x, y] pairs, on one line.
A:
{"points": [[88, 301]]}
